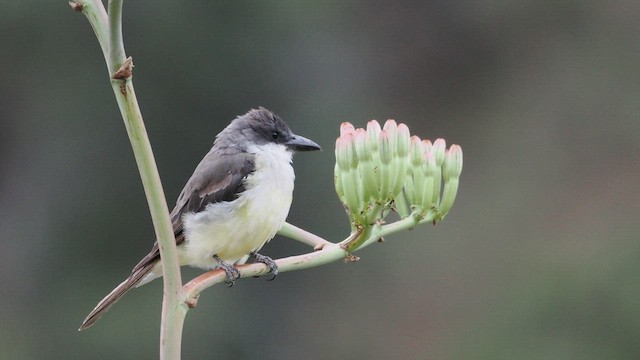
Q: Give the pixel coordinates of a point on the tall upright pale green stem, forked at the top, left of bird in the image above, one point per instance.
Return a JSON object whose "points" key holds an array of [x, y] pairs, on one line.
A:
{"points": [[108, 30]]}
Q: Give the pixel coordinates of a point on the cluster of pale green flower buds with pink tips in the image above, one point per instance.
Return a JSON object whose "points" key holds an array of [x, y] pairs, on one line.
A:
{"points": [[379, 168]]}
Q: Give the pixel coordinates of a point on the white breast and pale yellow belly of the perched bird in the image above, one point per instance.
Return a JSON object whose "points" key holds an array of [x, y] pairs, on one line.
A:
{"points": [[233, 229]]}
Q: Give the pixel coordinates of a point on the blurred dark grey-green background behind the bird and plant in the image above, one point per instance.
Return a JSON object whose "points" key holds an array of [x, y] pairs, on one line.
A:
{"points": [[538, 259]]}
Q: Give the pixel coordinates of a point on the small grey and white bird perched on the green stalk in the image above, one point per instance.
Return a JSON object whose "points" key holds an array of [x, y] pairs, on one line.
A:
{"points": [[236, 200]]}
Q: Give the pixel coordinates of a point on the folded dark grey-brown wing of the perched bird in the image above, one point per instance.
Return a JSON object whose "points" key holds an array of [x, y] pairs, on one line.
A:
{"points": [[217, 178]]}
